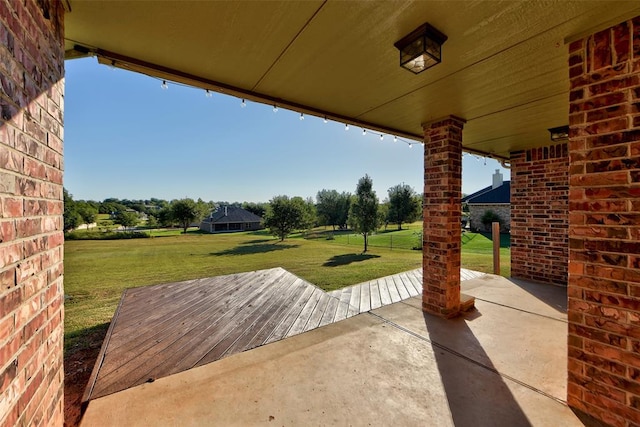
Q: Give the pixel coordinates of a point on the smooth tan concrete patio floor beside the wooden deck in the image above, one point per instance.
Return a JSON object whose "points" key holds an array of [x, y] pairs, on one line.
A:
{"points": [[502, 364]]}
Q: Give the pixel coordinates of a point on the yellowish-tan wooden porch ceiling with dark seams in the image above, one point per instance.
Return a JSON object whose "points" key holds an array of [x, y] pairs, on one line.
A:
{"points": [[504, 66]]}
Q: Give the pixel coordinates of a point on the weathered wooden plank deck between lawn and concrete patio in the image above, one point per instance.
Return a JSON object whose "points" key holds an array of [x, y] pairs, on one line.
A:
{"points": [[160, 330]]}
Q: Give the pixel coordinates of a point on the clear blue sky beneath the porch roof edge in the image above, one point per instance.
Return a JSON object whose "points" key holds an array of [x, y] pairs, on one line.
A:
{"points": [[126, 137]]}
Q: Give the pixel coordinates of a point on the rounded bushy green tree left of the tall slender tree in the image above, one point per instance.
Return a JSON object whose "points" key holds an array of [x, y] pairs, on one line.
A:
{"points": [[284, 215]]}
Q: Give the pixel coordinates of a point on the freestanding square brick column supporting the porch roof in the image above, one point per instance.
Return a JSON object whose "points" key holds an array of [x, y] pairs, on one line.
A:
{"points": [[442, 214]]}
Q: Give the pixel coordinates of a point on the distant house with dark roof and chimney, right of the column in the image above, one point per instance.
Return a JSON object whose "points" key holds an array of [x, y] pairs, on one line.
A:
{"points": [[496, 197]]}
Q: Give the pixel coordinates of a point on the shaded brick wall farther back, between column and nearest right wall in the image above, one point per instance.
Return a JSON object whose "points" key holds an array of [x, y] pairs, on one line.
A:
{"points": [[539, 214]]}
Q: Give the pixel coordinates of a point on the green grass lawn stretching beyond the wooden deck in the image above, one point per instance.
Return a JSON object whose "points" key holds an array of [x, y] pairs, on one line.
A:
{"points": [[97, 271]]}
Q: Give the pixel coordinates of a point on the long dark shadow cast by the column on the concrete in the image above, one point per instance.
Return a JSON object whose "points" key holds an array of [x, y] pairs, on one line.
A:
{"points": [[477, 394]]}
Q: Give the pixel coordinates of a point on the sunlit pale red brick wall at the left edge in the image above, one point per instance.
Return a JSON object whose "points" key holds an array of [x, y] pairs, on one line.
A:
{"points": [[31, 295]]}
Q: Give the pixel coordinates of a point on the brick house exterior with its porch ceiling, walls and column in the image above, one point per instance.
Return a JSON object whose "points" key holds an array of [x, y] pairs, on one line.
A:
{"points": [[575, 204]]}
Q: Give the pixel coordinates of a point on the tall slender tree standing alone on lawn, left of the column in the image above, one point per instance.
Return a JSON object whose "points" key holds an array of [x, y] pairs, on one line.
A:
{"points": [[363, 215]]}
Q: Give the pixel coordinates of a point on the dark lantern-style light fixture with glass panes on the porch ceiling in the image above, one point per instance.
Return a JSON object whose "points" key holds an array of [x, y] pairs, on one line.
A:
{"points": [[421, 49]]}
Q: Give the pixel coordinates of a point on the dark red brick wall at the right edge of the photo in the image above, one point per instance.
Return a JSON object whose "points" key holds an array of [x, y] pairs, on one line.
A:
{"points": [[604, 225]]}
